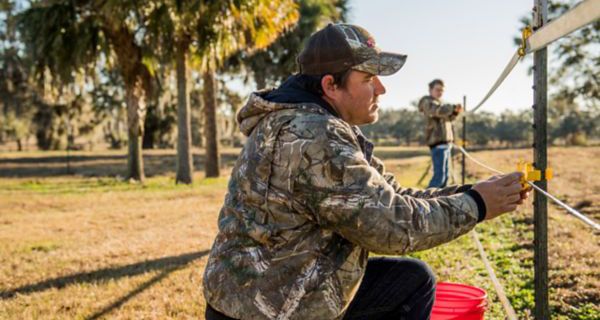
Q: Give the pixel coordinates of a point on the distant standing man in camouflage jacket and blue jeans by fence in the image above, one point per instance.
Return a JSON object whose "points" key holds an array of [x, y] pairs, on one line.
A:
{"points": [[439, 133]]}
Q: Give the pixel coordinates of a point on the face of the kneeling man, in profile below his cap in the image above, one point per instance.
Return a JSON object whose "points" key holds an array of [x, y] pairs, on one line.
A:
{"points": [[357, 102]]}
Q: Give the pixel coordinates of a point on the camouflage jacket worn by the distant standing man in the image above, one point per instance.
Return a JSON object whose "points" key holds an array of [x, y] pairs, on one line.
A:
{"points": [[438, 121]]}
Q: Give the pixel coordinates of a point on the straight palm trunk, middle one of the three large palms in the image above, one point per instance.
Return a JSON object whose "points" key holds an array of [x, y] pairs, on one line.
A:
{"points": [[184, 123]]}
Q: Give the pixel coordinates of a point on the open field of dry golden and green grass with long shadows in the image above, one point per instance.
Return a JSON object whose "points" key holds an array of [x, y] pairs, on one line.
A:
{"points": [[90, 245]]}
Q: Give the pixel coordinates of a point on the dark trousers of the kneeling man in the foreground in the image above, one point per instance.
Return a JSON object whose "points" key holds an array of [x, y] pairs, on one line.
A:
{"points": [[392, 288]]}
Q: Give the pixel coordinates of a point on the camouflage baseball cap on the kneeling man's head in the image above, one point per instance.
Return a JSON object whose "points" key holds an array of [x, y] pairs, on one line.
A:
{"points": [[339, 47]]}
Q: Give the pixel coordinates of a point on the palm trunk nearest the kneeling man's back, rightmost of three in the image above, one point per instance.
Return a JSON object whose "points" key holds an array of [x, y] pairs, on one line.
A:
{"points": [[210, 127]]}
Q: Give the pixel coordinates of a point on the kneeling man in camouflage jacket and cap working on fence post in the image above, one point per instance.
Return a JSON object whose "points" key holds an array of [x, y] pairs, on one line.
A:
{"points": [[307, 201]]}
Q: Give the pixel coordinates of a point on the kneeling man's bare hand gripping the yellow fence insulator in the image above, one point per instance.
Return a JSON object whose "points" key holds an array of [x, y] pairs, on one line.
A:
{"points": [[501, 194]]}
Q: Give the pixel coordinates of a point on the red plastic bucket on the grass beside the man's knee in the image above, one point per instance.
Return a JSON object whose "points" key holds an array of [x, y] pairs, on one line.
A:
{"points": [[458, 301]]}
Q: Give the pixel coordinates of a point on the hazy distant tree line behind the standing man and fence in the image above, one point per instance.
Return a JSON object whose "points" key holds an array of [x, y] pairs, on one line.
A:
{"points": [[568, 124]]}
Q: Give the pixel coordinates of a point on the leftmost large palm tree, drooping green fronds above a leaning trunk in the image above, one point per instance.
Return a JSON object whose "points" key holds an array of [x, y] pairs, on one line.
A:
{"points": [[66, 37]]}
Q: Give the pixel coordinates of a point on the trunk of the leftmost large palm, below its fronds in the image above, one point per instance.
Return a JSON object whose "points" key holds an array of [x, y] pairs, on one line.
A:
{"points": [[136, 108]]}
